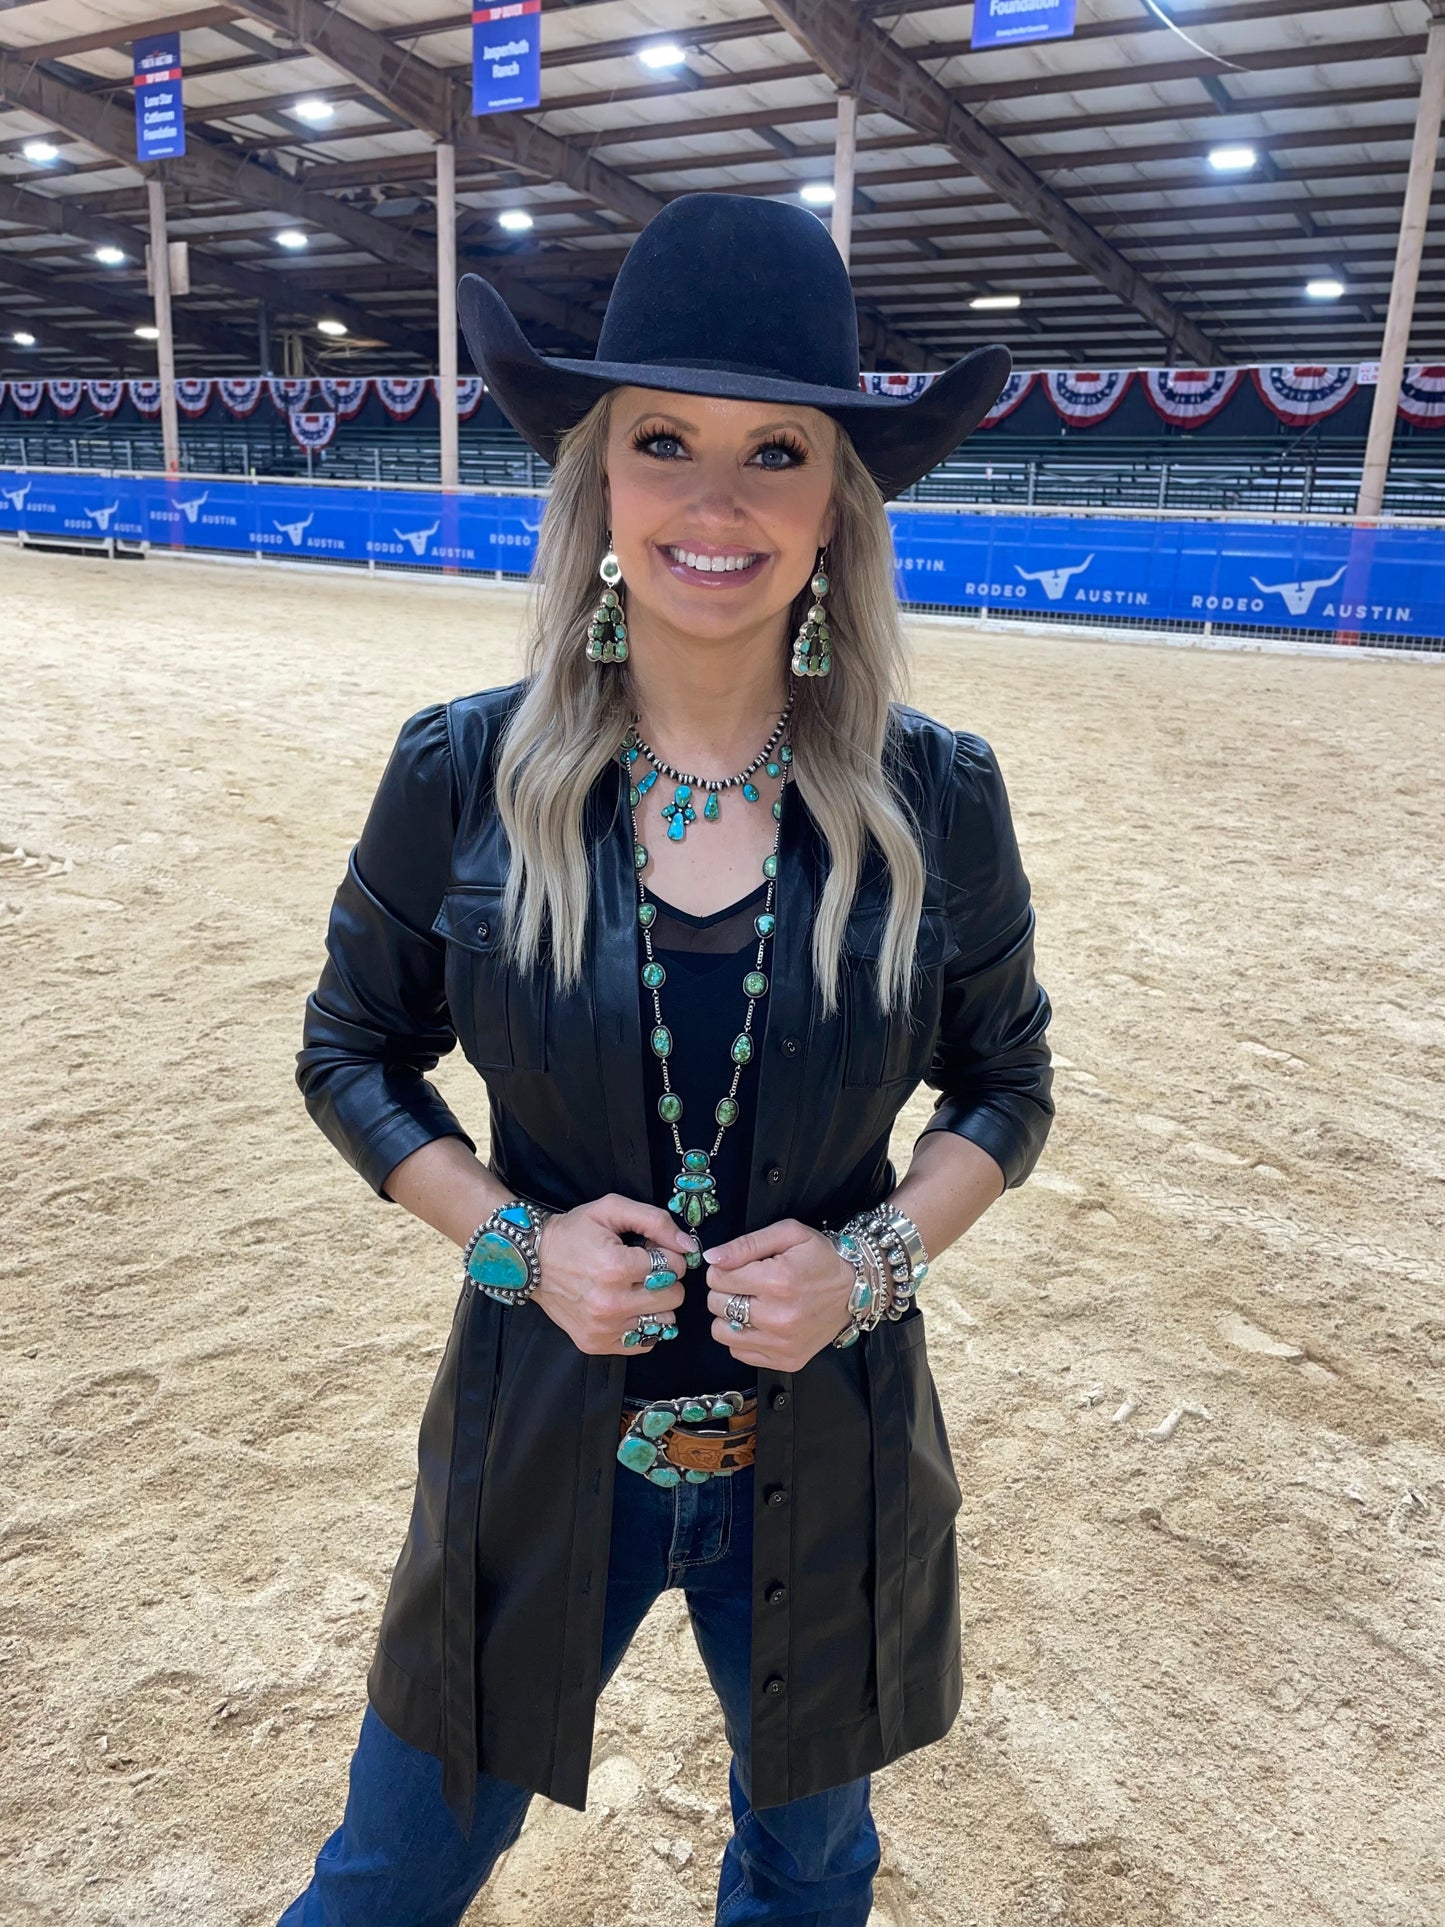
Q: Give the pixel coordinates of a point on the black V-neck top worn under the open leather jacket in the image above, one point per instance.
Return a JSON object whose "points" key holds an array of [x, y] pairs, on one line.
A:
{"points": [[704, 1005]]}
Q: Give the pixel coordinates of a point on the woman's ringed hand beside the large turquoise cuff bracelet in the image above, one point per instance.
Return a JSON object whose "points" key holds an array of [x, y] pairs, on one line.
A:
{"points": [[592, 1282]]}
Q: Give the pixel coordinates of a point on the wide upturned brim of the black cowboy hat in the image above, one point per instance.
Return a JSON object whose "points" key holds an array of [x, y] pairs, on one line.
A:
{"points": [[897, 440]]}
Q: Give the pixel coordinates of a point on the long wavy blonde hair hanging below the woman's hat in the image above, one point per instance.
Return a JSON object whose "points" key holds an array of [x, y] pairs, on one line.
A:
{"points": [[571, 720]]}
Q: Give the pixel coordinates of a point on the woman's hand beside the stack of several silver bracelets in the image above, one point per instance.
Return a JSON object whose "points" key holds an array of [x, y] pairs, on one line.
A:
{"points": [[799, 1288]]}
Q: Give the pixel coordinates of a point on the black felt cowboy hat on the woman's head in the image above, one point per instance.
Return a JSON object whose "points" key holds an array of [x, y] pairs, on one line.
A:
{"points": [[737, 298]]}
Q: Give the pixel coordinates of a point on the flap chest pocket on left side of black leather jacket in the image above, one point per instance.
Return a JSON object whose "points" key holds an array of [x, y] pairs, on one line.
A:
{"points": [[500, 1015]]}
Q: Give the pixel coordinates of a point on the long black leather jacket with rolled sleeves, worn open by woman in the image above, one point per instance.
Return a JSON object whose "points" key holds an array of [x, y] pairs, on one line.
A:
{"points": [[488, 1650]]}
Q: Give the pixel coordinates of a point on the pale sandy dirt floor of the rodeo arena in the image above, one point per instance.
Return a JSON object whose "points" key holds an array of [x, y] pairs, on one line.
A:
{"points": [[1194, 1371]]}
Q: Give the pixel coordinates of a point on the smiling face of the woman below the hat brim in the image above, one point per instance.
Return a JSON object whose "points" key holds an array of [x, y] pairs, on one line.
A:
{"points": [[718, 508]]}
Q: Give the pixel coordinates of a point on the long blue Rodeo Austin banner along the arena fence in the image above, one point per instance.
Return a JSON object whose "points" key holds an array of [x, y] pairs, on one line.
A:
{"points": [[1325, 577]]}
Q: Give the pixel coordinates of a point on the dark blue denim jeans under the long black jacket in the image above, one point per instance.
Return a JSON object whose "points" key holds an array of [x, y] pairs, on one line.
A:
{"points": [[400, 1861]]}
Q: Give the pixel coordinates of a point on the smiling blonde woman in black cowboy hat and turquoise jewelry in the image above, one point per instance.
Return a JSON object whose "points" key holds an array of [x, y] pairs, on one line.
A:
{"points": [[702, 905]]}
